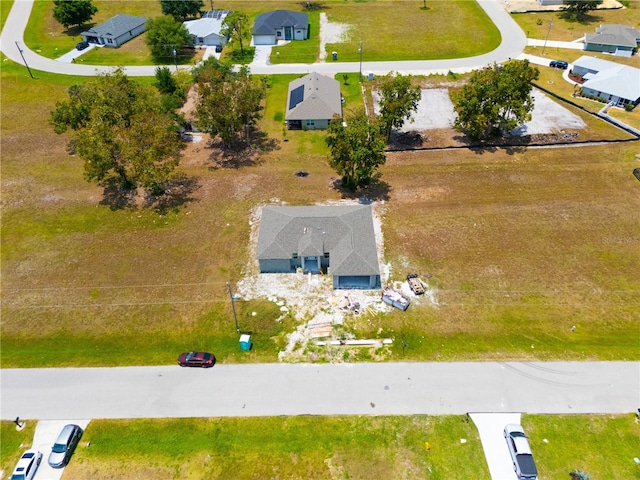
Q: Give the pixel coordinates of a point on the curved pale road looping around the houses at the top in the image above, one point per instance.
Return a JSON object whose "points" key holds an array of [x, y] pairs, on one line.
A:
{"points": [[512, 45]]}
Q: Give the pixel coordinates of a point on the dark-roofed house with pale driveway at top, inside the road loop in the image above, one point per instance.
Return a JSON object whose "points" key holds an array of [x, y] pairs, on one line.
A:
{"points": [[280, 25]]}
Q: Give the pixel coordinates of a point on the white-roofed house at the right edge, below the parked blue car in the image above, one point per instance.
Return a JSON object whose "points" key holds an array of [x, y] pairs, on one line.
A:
{"points": [[617, 84]]}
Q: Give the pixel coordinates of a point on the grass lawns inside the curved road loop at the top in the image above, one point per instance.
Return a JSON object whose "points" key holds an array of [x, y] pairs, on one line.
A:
{"points": [[377, 24]]}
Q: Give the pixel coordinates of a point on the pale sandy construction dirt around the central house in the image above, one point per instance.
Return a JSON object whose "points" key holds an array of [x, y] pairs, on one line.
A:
{"points": [[311, 299]]}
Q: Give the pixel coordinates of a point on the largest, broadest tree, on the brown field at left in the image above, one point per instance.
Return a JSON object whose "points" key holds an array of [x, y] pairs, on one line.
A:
{"points": [[119, 129]]}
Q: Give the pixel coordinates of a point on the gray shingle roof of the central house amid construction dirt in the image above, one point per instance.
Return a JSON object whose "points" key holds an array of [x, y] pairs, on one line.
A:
{"points": [[345, 232]]}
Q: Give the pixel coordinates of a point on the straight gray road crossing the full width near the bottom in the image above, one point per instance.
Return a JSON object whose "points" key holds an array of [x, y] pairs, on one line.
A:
{"points": [[328, 389]]}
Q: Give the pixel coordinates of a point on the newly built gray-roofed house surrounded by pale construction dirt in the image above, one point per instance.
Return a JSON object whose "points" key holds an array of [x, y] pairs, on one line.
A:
{"points": [[337, 240]]}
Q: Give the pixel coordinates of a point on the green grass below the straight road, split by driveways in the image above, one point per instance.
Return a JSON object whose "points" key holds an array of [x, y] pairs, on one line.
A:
{"points": [[334, 447]]}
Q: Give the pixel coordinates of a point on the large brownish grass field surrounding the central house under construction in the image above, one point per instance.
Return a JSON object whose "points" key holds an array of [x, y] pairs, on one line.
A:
{"points": [[520, 245]]}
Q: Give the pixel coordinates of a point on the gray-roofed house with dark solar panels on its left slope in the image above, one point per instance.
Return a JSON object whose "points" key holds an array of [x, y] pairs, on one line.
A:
{"points": [[312, 102]]}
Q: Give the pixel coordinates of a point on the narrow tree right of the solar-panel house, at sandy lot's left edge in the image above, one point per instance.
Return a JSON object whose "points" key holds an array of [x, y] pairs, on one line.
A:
{"points": [[399, 99]]}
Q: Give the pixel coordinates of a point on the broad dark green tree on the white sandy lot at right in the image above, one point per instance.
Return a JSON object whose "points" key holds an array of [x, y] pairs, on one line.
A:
{"points": [[496, 99]]}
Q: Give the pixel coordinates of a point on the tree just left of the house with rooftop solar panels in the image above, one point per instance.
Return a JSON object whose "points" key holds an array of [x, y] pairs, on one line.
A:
{"points": [[229, 105]]}
